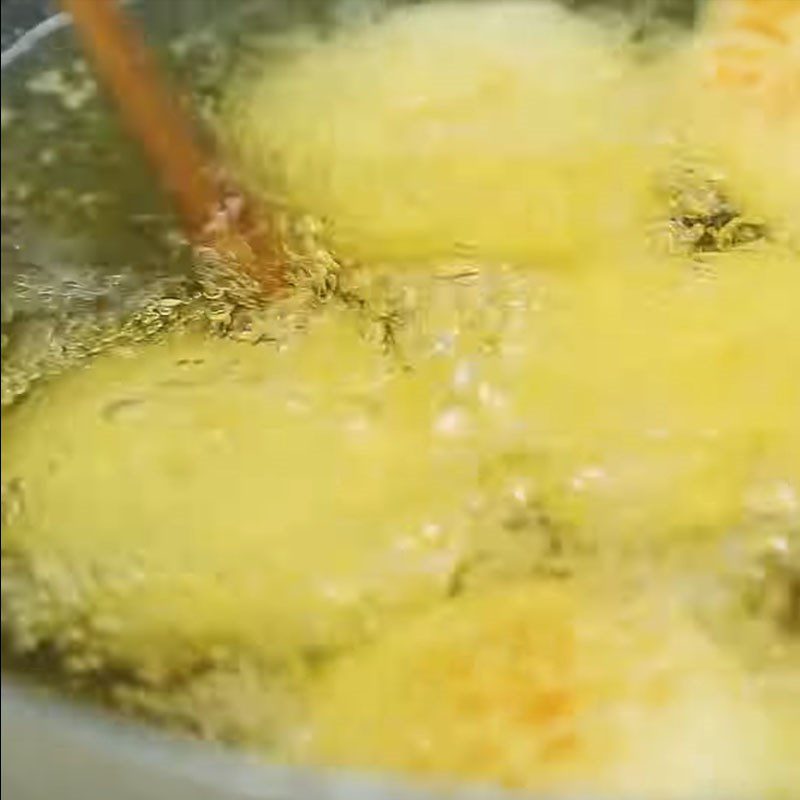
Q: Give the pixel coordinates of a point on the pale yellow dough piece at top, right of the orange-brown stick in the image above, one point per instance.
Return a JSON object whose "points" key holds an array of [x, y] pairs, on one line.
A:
{"points": [[503, 131]]}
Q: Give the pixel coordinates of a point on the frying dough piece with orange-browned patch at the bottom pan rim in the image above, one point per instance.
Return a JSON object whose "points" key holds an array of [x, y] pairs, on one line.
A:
{"points": [[546, 686]]}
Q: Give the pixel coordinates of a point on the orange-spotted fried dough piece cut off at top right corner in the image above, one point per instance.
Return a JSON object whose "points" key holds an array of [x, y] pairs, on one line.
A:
{"points": [[744, 105]]}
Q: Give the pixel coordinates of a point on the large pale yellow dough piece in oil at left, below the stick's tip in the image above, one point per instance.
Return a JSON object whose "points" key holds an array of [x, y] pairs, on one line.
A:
{"points": [[200, 497]]}
